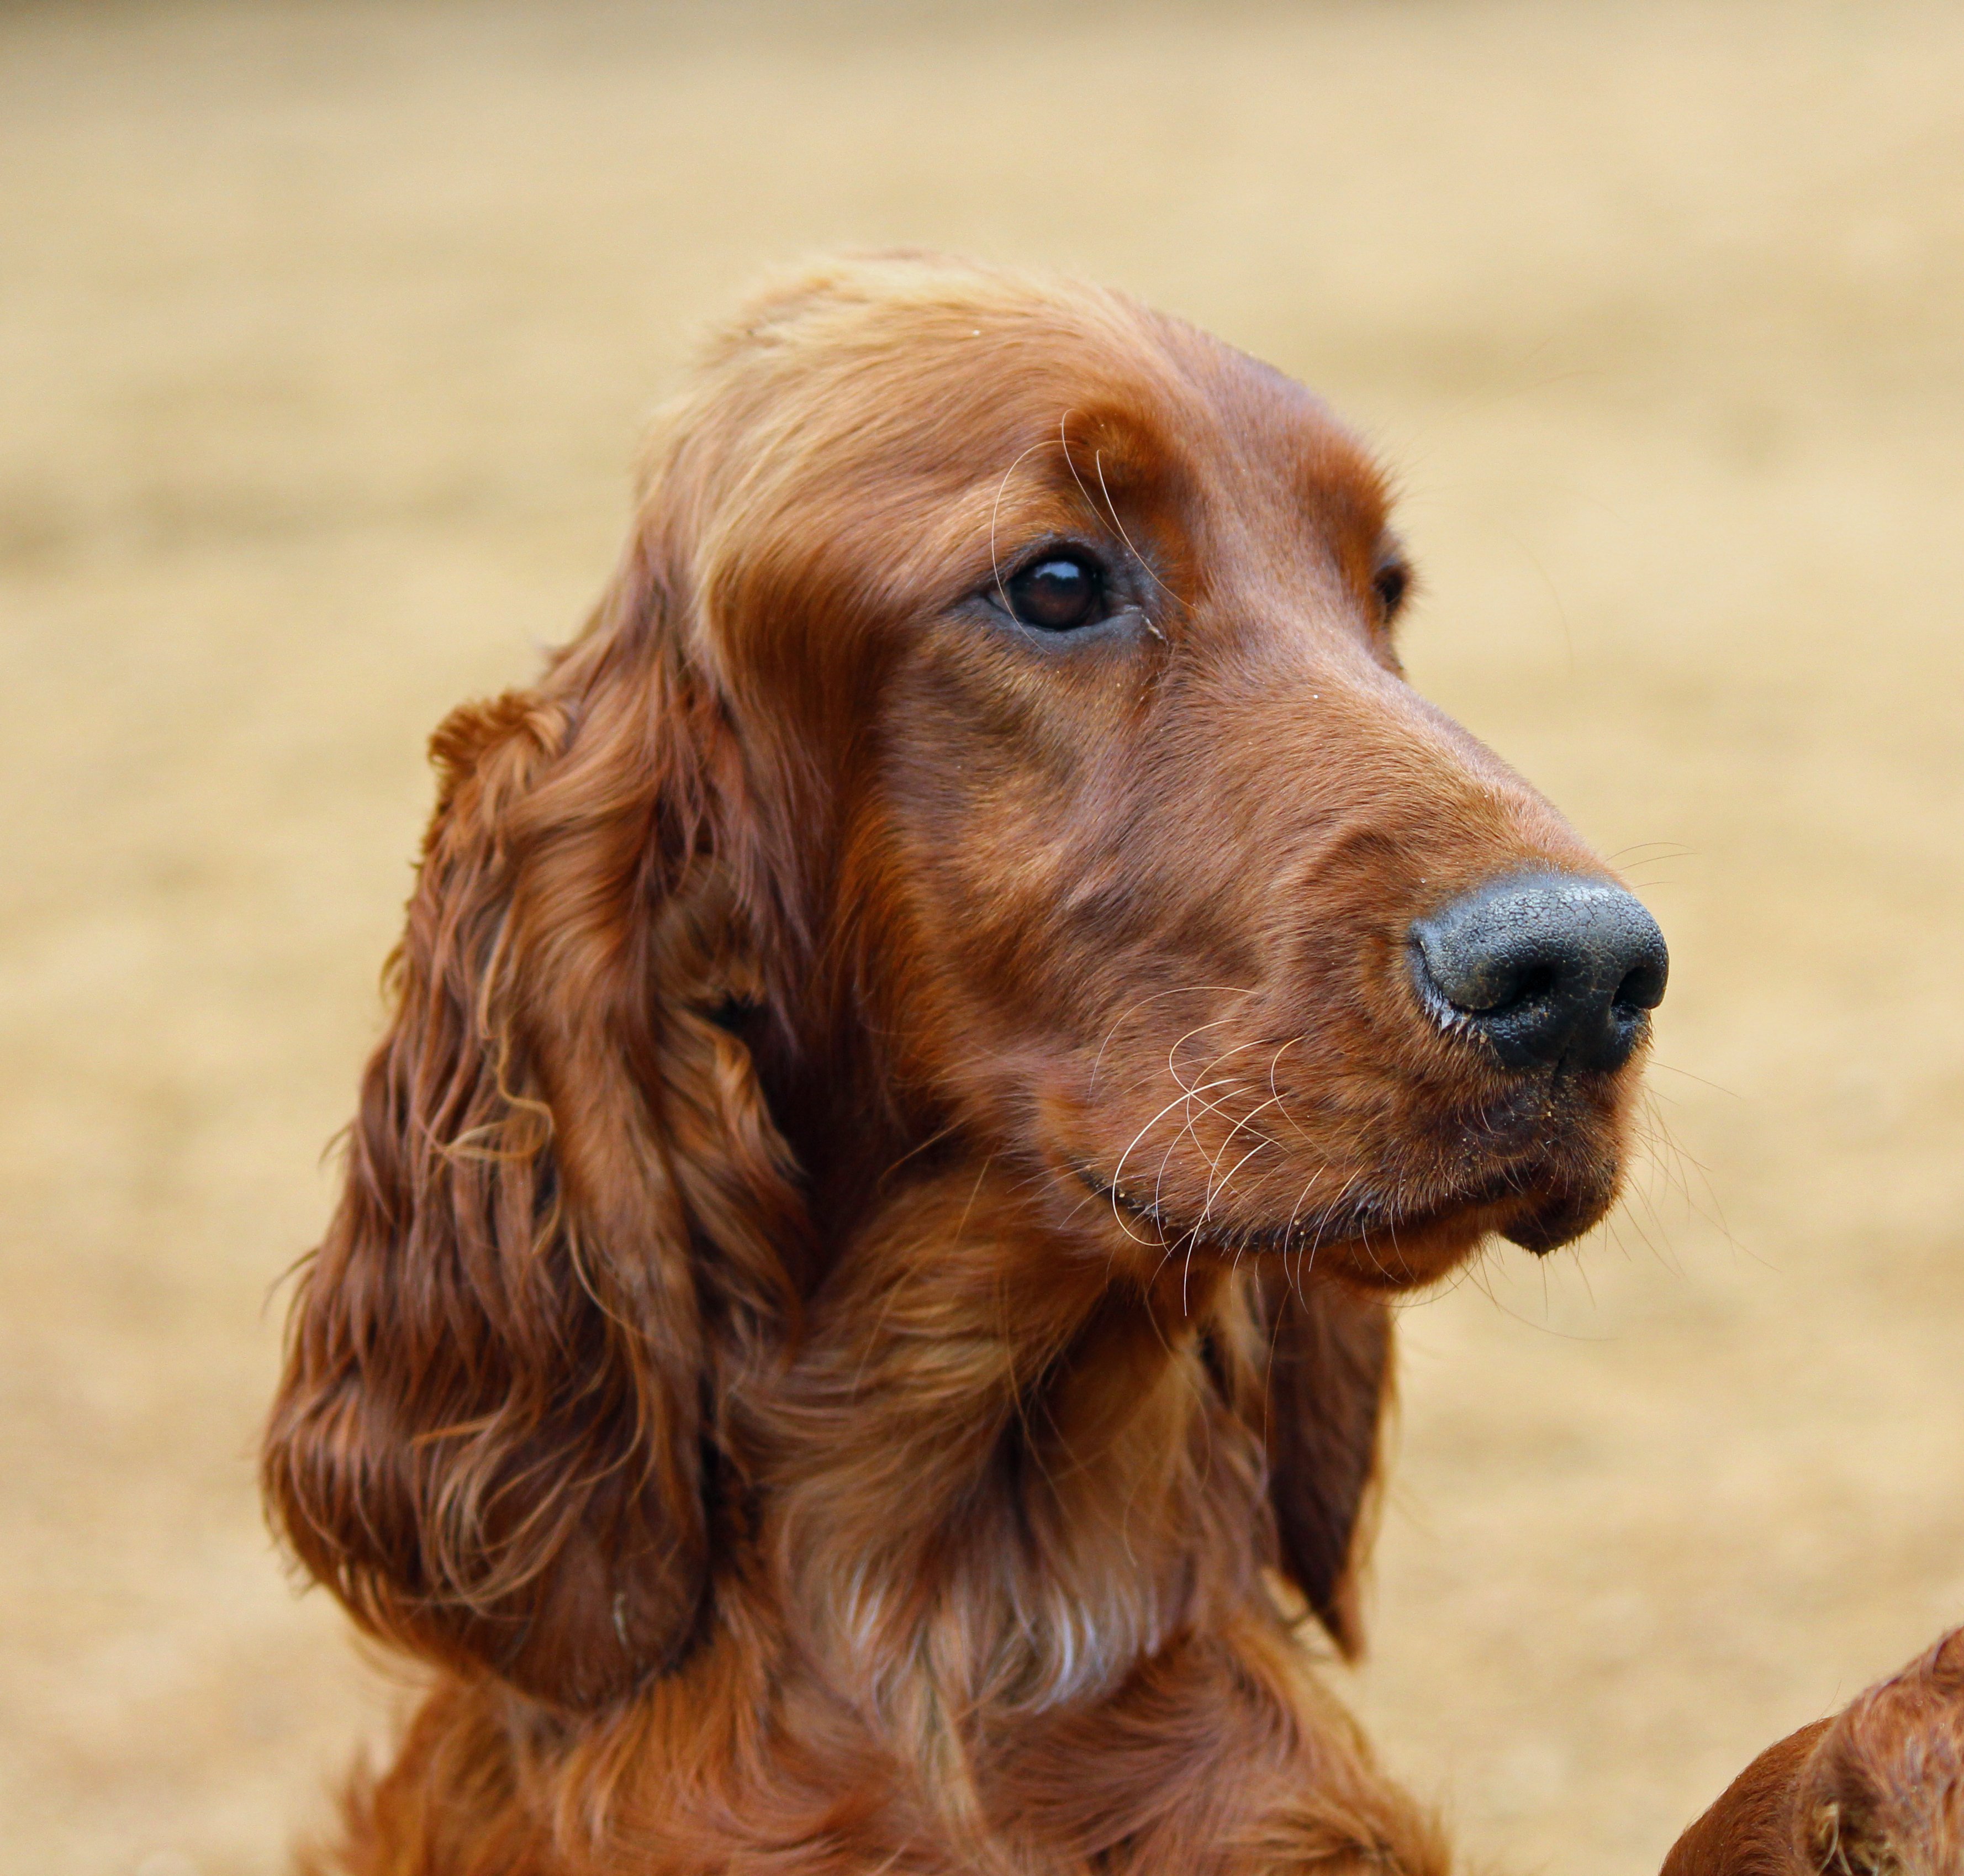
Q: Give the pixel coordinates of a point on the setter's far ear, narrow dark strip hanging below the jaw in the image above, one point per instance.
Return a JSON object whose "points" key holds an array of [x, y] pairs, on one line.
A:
{"points": [[1329, 1388]]}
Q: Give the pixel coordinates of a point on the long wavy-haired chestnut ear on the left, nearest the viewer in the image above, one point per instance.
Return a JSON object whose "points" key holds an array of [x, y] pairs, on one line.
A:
{"points": [[569, 1217]]}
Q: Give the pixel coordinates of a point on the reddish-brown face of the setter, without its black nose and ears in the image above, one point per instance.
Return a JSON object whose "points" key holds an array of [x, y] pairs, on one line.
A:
{"points": [[1138, 814]]}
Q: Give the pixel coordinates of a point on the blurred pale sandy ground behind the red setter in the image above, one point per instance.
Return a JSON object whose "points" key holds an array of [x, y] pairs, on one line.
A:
{"points": [[325, 335]]}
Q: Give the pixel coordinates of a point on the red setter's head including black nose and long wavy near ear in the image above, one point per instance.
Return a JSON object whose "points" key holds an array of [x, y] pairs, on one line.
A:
{"points": [[995, 742]]}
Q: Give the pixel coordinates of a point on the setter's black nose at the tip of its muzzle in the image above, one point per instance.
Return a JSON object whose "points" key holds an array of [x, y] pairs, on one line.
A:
{"points": [[1551, 969]]}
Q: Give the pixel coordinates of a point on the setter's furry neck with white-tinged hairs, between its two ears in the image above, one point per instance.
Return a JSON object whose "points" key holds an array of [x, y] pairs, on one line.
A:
{"points": [[1003, 1464]]}
